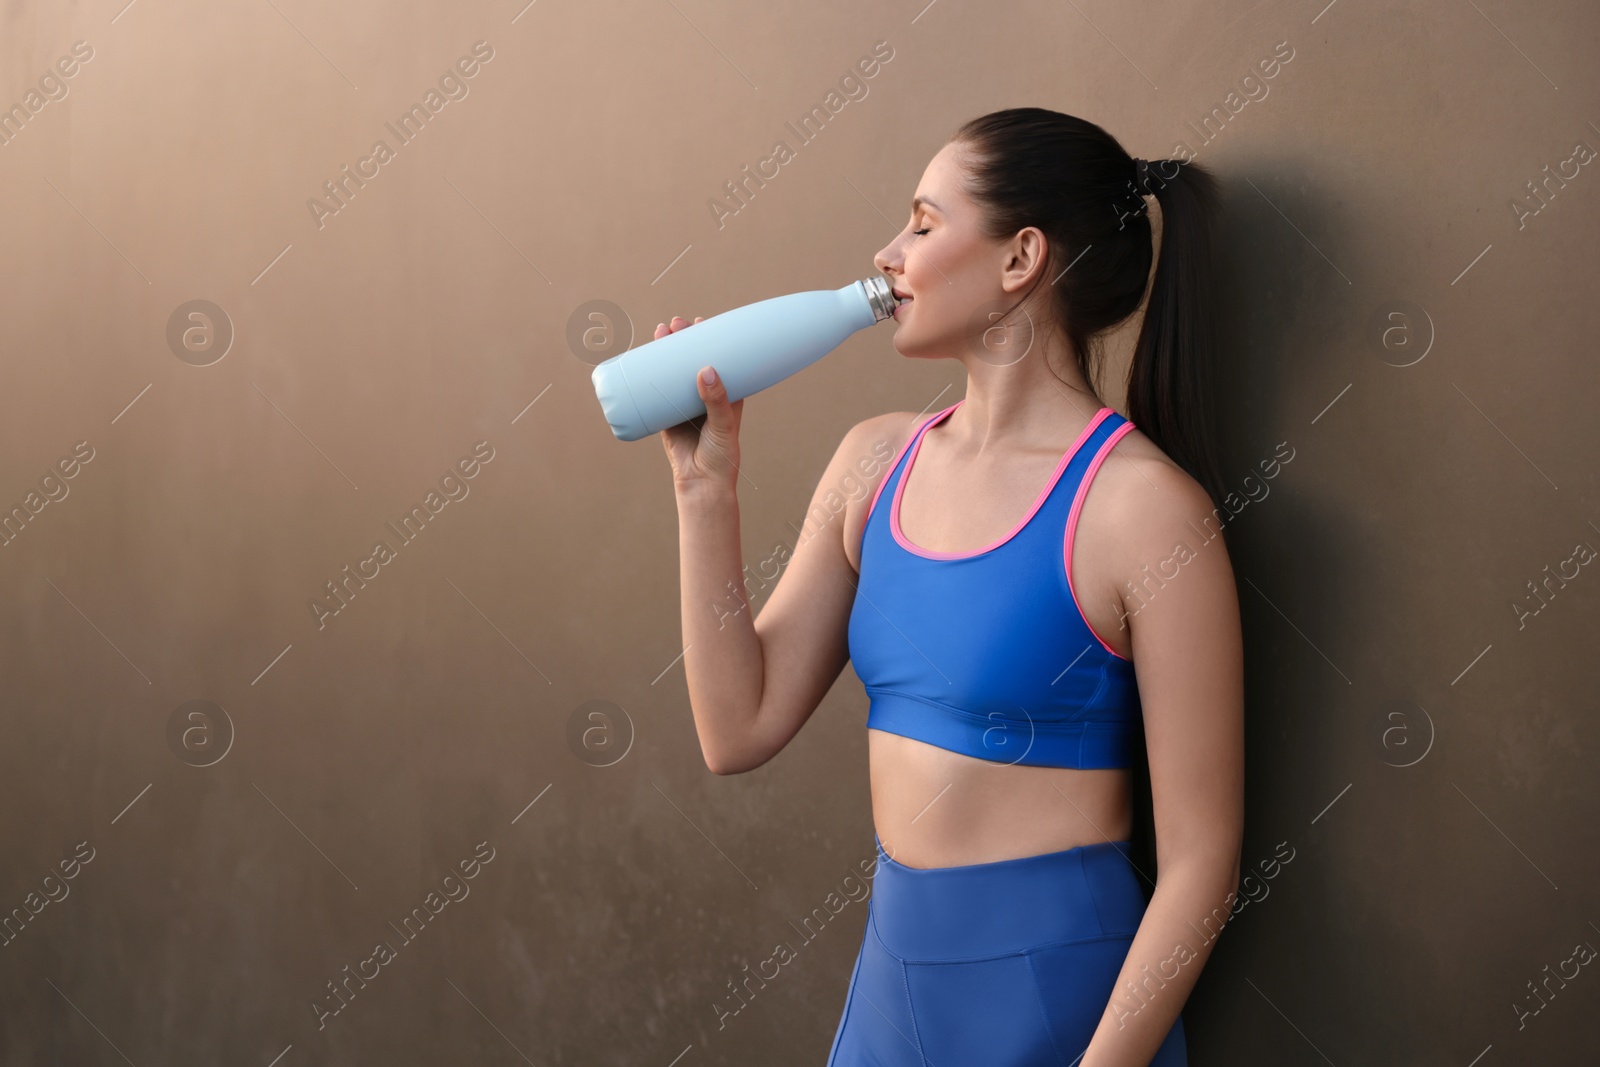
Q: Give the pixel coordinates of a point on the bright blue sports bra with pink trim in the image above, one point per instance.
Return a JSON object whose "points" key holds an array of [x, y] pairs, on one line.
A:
{"points": [[988, 653]]}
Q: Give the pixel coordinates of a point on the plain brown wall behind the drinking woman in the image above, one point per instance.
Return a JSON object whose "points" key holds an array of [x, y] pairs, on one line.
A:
{"points": [[353, 765]]}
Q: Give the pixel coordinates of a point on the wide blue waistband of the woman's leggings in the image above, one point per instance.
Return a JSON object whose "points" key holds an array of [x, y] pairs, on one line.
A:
{"points": [[1007, 906]]}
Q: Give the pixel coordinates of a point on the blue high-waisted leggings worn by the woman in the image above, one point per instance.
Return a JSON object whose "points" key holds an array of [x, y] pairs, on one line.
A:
{"points": [[1009, 964]]}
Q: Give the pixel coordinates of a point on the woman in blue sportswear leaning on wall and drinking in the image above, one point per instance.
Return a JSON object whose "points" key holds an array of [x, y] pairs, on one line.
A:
{"points": [[1034, 615]]}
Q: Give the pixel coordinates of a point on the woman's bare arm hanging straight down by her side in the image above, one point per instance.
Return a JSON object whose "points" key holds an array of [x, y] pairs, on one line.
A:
{"points": [[1188, 658]]}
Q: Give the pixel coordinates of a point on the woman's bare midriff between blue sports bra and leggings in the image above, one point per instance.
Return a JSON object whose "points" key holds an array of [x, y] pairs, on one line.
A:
{"points": [[937, 809]]}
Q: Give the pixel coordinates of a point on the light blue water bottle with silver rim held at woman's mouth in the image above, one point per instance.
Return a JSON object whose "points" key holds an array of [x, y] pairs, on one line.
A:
{"points": [[647, 390]]}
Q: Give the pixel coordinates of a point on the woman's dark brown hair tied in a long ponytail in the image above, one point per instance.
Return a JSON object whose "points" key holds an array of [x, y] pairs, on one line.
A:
{"points": [[1076, 183]]}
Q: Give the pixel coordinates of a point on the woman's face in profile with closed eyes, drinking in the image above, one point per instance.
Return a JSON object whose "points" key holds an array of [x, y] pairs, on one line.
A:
{"points": [[950, 270]]}
